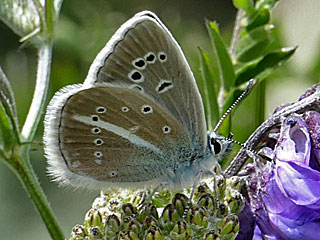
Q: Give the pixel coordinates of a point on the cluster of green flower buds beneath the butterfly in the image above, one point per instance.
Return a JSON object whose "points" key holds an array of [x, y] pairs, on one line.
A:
{"points": [[114, 215]]}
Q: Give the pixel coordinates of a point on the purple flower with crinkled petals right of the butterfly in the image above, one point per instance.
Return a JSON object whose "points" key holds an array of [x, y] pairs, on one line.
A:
{"points": [[284, 196]]}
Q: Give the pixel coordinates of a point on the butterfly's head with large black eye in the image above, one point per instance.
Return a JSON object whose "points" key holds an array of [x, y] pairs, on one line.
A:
{"points": [[219, 145]]}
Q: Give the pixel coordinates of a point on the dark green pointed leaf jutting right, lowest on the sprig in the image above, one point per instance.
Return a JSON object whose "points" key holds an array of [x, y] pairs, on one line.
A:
{"points": [[264, 65]]}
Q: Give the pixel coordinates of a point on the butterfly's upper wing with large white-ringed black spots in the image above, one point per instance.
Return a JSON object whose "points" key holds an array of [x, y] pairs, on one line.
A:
{"points": [[145, 57]]}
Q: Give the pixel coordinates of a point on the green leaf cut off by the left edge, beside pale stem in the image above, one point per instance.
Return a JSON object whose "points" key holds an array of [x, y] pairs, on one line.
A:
{"points": [[8, 115]]}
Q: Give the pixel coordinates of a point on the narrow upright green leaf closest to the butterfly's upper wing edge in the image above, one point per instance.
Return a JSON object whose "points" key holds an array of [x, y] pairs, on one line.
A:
{"points": [[208, 91]]}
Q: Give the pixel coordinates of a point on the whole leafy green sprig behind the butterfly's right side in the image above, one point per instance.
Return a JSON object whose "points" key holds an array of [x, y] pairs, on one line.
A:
{"points": [[249, 57]]}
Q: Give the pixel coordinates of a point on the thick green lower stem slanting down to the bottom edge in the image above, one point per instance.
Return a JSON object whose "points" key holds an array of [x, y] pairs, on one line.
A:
{"points": [[20, 163]]}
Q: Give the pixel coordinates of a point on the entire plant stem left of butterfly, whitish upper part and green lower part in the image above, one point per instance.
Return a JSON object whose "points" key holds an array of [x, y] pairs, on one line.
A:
{"points": [[20, 159]]}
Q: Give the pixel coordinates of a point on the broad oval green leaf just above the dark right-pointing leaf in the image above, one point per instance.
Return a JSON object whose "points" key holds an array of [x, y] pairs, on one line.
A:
{"points": [[253, 44]]}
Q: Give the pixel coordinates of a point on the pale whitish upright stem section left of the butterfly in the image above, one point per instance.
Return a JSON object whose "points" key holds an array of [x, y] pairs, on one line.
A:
{"points": [[40, 94]]}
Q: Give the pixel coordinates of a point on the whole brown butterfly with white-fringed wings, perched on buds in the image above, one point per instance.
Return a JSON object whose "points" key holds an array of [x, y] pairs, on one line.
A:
{"points": [[137, 120]]}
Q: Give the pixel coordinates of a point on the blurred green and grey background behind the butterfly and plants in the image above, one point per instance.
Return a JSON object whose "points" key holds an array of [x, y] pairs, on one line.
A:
{"points": [[84, 28]]}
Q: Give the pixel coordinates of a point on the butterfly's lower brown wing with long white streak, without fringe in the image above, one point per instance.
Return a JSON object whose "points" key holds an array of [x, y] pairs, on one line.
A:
{"points": [[125, 137]]}
